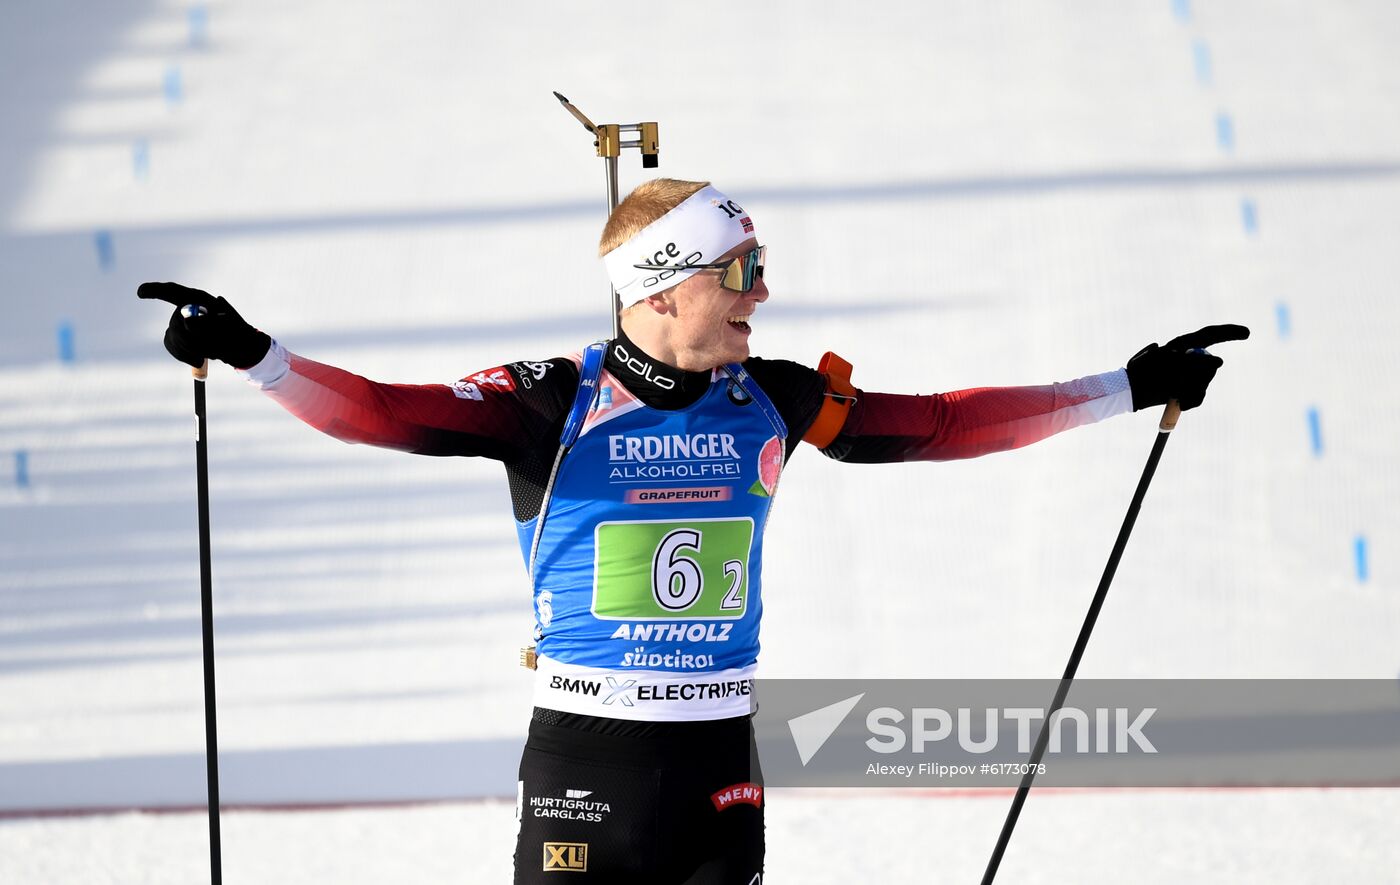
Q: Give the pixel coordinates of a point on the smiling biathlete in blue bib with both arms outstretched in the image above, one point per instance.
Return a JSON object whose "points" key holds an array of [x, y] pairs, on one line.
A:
{"points": [[642, 473]]}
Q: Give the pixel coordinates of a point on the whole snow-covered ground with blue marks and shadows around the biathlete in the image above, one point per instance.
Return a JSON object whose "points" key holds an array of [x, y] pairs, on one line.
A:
{"points": [[955, 195]]}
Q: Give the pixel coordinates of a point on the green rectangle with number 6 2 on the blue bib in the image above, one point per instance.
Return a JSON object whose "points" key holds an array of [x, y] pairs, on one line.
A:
{"points": [[666, 571]]}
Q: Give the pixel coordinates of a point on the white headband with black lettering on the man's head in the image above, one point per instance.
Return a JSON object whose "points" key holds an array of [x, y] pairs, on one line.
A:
{"points": [[698, 232]]}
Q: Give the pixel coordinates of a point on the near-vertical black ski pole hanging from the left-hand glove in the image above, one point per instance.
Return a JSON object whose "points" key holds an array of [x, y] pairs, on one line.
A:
{"points": [[206, 614]]}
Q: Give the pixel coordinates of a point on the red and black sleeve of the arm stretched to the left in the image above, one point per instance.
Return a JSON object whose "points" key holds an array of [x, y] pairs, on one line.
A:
{"points": [[485, 414]]}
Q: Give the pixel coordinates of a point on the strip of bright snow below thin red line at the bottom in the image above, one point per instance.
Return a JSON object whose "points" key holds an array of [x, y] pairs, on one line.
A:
{"points": [[1144, 838]]}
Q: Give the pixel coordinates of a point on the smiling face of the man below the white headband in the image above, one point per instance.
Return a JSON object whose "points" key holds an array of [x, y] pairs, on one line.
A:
{"points": [[710, 324]]}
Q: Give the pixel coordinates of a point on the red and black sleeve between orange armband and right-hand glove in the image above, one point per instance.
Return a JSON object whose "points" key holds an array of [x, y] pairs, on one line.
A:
{"points": [[885, 428]]}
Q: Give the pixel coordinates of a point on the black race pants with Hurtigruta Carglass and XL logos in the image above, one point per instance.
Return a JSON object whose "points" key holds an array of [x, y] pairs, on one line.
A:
{"points": [[657, 803]]}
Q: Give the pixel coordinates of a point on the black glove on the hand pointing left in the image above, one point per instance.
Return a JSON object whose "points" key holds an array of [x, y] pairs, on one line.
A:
{"points": [[219, 334]]}
